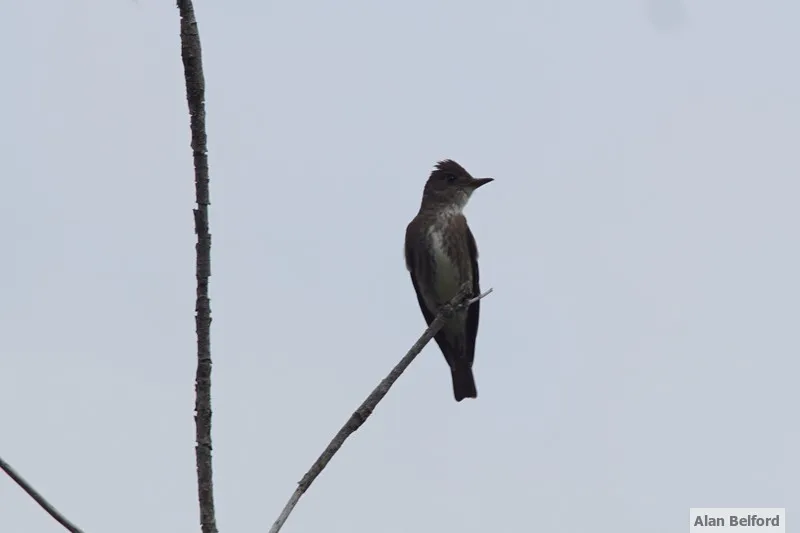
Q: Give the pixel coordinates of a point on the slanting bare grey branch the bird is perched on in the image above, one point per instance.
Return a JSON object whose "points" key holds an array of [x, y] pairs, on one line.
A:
{"points": [[460, 301]]}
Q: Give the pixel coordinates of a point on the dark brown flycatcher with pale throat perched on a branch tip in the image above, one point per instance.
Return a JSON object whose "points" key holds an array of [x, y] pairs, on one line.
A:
{"points": [[441, 256]]}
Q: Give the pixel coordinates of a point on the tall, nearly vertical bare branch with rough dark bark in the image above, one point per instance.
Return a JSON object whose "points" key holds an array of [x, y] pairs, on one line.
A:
{"points": [[195, 96]]}
